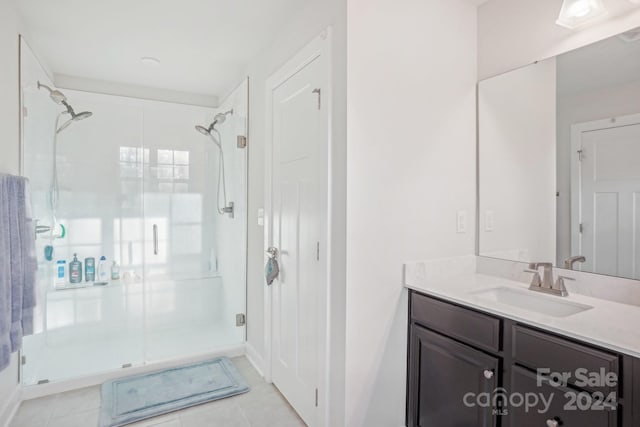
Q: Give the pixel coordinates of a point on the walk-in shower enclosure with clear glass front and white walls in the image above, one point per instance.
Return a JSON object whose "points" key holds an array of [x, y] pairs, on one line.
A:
{"points": [[138, 185]]}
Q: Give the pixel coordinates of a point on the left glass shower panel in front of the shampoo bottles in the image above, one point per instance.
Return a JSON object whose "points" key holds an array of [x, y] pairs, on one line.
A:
{"points": [[81, 330]]}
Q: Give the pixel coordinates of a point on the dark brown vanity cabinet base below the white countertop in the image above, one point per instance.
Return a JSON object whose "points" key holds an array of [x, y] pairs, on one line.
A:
{"points": [[467, 368]]}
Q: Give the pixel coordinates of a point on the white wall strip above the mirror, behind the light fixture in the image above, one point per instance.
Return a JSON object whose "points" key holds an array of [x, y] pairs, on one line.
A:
{"points": [[513, 33]]}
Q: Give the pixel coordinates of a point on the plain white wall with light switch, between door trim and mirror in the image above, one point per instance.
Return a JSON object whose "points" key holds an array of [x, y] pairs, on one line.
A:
{"points": [[411, 167]]}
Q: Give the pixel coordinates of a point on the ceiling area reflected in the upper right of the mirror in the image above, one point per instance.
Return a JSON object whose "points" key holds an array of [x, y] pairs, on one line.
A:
{"points": [[610, 62]]}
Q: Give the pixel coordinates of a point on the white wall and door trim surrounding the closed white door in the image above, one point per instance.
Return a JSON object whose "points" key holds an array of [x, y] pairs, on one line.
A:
{"points": [[294, 36]]}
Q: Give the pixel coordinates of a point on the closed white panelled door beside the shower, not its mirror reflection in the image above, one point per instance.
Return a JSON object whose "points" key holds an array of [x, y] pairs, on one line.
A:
{"points": [[299, 211]]}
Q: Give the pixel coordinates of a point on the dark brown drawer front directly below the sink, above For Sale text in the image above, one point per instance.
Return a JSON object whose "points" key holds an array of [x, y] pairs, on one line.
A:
{"points": [[538, 350]]}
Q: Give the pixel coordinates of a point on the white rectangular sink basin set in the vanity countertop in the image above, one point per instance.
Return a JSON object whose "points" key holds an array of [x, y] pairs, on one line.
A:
{"points": [[531, 301]]}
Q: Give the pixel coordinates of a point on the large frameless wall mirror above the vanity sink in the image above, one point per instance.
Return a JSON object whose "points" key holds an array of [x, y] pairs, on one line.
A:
{"points": [[559, 160]]}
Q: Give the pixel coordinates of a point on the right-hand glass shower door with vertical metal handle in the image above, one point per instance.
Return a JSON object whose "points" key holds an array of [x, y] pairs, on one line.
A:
{"points": [[186, 301]]}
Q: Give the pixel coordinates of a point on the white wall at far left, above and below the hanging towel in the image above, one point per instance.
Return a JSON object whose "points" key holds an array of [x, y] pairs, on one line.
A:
{"points": [[9, 158]]}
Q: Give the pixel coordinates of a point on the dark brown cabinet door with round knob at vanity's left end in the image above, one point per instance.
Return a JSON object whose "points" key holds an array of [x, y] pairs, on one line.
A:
{"points": [[442, 372]]}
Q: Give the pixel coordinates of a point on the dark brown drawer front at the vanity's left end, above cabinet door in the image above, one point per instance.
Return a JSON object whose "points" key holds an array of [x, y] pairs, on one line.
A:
{"points": [[467, 325]]}
